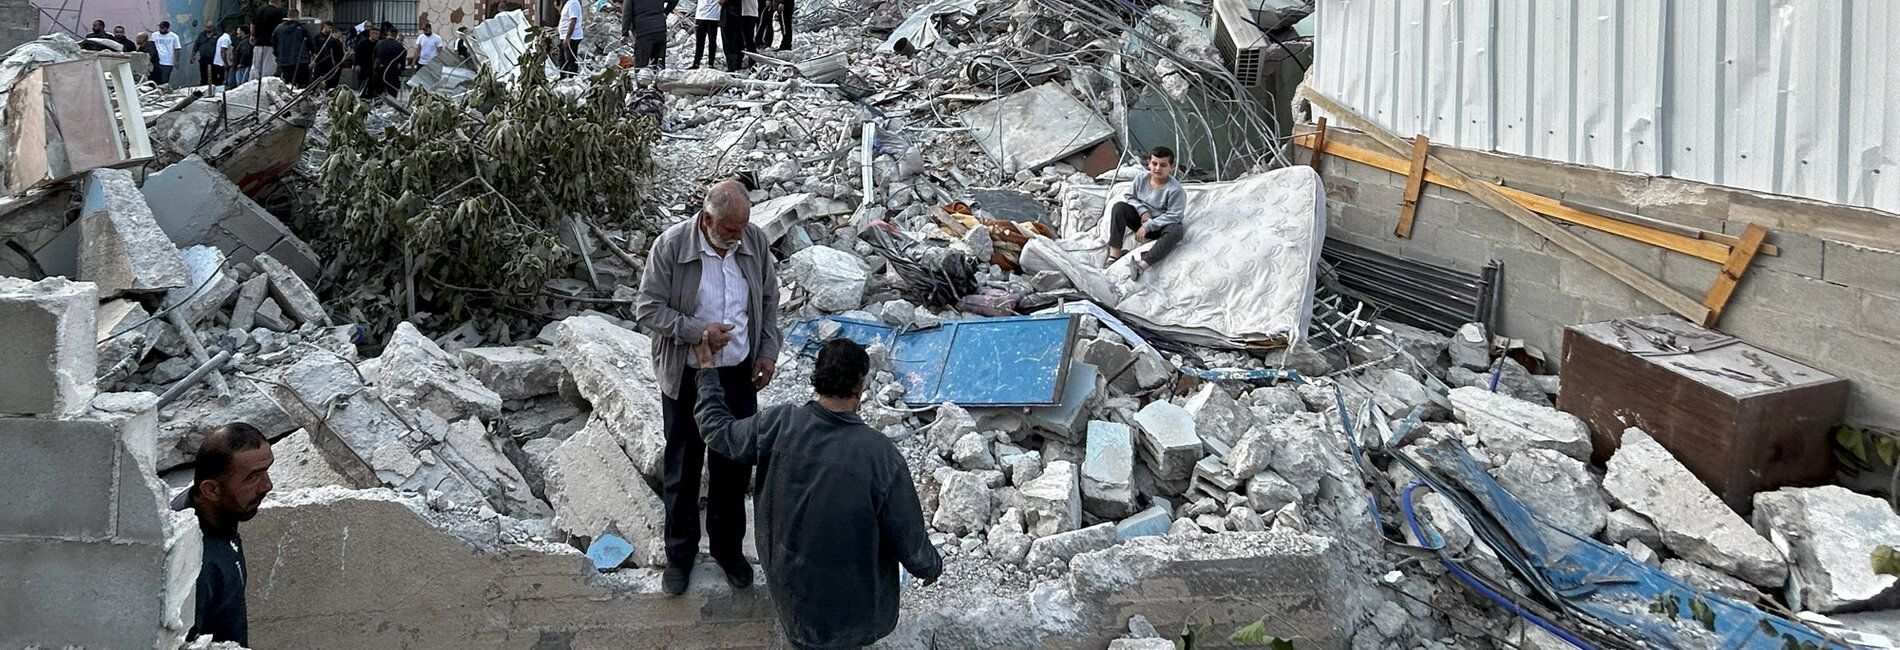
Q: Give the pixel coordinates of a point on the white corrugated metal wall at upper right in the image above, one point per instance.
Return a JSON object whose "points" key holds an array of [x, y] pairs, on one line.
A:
{"points": [[1795, 98]]}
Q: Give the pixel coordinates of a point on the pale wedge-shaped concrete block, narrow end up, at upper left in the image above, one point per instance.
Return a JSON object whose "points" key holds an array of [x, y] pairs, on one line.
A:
{"points": [[121, 246]]}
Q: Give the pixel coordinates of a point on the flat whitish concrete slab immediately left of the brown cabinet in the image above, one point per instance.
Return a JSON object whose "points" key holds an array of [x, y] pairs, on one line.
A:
{"points": [[1508, 425]]}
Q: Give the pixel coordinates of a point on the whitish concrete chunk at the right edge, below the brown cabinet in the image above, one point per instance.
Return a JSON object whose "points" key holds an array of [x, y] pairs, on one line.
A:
{"points": [[1829, 535]]}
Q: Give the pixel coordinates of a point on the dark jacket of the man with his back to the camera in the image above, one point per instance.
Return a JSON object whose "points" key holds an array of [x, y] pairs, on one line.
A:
{"points": [[837, 514]]}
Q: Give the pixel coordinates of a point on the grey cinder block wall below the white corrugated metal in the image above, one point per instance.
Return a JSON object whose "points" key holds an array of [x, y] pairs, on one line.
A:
{"points": [[1833, 297]]}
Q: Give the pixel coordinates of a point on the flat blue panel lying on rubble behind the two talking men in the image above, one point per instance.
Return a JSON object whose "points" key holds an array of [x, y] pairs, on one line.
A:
{"points": [[989, 362]]}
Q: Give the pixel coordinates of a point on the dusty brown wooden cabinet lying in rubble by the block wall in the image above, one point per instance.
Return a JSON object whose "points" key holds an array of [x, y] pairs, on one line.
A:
{"points": [[1741, 419]]}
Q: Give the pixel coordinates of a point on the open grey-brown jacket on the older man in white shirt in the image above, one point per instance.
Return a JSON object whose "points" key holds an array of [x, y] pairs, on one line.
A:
{"points": [[670, 296]]}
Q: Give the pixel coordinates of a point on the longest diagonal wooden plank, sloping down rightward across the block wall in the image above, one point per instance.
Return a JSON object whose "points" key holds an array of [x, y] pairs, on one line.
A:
{"points": [[1485, 193]]}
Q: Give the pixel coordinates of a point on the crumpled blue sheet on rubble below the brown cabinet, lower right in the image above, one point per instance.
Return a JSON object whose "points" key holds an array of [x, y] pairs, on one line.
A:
{"points": [[1616, 590]]}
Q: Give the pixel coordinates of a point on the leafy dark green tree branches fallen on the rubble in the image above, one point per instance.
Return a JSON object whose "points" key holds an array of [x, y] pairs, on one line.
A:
{"points": [[470, 199]]}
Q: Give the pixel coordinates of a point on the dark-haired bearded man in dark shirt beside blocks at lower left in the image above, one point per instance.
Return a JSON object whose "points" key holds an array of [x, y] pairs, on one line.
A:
{"points": [[229, 482]]}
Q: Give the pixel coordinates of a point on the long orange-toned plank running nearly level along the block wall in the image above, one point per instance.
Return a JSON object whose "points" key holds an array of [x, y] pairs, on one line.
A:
{"points": [[1707, 246]]}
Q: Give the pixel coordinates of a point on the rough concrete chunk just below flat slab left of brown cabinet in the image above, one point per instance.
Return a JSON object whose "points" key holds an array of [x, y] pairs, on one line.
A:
{"points": [[1557, 487]]}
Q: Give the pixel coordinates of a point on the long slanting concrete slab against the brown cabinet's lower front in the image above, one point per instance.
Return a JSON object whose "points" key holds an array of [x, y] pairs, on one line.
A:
{"points": [[1694, 524]]}
